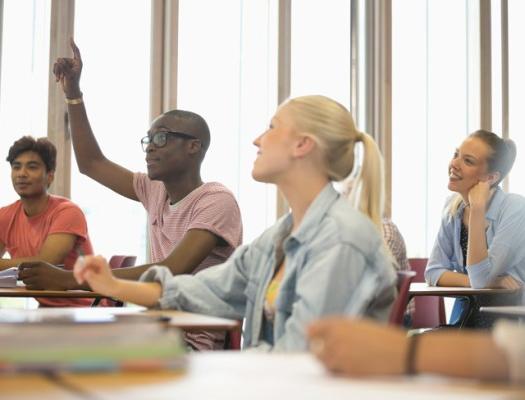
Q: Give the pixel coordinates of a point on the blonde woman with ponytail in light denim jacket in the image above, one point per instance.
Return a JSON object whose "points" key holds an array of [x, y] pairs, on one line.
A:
{"points": [[322, 258]]}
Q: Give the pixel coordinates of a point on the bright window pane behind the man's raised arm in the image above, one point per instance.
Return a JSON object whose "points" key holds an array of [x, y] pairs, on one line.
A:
{"points": [[115, 82]]}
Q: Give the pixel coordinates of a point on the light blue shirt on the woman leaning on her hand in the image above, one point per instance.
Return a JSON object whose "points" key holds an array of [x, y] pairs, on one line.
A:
{"points": [[505, 235]]}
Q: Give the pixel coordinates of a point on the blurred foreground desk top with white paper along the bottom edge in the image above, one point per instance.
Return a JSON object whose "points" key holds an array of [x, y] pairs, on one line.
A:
{"points": [[262, 376]]}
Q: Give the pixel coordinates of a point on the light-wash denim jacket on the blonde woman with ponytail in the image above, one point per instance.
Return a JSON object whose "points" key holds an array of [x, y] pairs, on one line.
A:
{"points": [[335, 264]]}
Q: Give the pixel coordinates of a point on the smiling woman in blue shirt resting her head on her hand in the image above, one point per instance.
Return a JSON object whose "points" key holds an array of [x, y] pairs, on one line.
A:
{"points": [[480, 243]]}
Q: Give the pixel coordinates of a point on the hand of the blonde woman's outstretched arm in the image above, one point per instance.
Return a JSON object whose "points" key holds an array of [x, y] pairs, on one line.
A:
{"points": [[96, 272]]}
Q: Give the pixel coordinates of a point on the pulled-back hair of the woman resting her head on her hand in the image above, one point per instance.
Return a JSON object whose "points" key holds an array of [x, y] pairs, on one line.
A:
{"points": [[503, 152]]}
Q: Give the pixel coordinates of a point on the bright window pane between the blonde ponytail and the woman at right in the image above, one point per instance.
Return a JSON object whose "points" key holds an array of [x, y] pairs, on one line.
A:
{"points": [[433, 109]]}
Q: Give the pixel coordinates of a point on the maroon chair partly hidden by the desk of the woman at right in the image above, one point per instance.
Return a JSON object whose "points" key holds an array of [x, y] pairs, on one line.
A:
{"points": [[430, 310]]}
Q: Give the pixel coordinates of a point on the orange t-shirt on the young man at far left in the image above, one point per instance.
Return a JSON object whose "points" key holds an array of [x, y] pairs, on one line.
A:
{"points": [[23, 236]]}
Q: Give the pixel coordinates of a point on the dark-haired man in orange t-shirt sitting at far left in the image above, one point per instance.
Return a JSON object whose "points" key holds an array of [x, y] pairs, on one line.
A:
{"points": [[40, 226]]}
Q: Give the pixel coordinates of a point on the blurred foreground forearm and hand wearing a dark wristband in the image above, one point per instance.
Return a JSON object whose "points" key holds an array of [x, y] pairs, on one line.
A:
{"points": [[361, 347]]}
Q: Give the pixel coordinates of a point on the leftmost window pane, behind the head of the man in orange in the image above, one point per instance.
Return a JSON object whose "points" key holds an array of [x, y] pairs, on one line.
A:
{"points": [[24, 78]]}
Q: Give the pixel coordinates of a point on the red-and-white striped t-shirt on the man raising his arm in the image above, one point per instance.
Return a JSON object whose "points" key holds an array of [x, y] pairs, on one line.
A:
{"points": [[211, 207]]}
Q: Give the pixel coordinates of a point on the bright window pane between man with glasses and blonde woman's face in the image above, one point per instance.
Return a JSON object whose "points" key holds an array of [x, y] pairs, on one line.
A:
{"points": [[227, 74]]}
